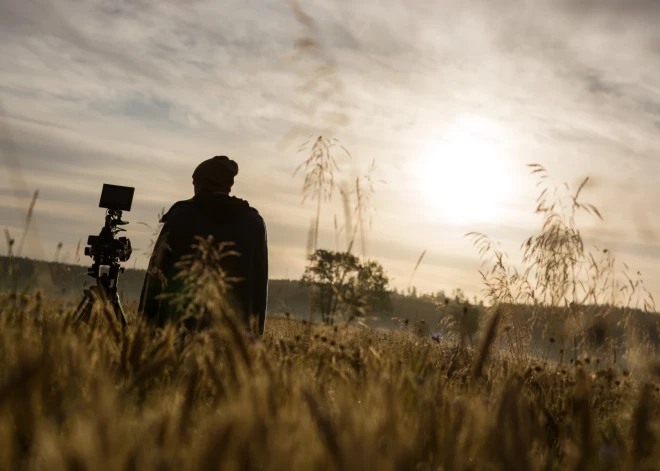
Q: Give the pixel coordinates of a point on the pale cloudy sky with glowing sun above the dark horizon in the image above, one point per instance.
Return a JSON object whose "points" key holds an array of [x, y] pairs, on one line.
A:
{"points": [[451, 100]]}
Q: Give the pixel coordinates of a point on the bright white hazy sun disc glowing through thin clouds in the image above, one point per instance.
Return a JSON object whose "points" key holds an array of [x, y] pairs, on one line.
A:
{"points": [[465, 175]]}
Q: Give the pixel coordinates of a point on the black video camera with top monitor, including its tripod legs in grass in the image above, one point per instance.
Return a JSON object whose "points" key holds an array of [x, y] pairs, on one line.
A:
{"points": [[108, 250]]}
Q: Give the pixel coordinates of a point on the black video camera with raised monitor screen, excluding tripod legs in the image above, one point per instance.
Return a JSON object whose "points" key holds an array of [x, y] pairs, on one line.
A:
{"points": [[106, 249]]}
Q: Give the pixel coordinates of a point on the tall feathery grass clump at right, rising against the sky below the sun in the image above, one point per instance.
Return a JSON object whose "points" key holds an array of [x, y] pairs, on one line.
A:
{"points": [[562, 290]]}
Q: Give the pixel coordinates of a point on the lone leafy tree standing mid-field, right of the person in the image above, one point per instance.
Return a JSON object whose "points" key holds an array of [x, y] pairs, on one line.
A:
{"points": [[346, 286]]}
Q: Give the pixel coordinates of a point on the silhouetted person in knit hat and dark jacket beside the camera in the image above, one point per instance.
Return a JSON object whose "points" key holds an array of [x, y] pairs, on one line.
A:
{"points": [[211, 212]]}
